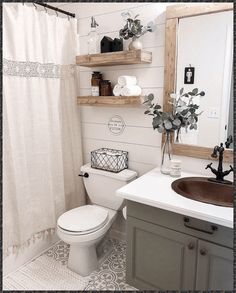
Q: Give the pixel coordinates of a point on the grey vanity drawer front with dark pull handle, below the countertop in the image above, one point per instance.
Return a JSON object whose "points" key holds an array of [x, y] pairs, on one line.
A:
{"points": [[188, 225]]}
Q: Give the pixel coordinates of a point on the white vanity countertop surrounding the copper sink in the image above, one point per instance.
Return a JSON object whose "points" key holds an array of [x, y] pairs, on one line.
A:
{"points": [[154, 189]]}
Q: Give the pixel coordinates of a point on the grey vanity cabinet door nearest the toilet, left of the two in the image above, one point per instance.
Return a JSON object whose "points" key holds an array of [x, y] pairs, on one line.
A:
{"points": [[159, 258]]}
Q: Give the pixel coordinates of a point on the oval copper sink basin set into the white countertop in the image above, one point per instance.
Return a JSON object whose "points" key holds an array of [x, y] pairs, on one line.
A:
{"points": [[200, 189]]}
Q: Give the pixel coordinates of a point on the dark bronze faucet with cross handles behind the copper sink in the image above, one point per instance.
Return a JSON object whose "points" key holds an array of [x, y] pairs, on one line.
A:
{"points": [[220, 174]]}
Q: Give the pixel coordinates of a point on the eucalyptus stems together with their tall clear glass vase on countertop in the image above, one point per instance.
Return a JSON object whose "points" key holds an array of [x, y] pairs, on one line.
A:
{"points": [[183, 115]]}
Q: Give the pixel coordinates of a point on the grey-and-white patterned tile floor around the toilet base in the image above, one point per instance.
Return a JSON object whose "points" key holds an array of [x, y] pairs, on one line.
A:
{"points": [[110, 275]]}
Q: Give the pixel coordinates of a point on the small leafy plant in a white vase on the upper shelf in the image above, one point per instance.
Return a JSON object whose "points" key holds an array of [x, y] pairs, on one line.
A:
{"points": [[134, 29]]}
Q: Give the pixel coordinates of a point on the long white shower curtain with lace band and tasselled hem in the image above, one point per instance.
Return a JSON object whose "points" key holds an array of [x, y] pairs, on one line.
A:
{"points": [[42, 151]]}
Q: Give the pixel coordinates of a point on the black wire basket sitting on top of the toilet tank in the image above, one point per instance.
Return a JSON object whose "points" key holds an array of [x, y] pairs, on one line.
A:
{"points": [[109, 160]]}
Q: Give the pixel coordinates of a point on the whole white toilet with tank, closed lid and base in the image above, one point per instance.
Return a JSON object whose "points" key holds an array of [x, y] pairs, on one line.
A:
{"points": [[85, 226]]}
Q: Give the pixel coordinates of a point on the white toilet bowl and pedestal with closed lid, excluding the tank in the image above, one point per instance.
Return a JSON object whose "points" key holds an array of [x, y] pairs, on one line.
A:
{"points": [[83, 240]]}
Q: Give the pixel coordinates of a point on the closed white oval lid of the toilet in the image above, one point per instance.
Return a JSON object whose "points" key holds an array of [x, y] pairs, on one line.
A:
{"points": [[85, 218]]}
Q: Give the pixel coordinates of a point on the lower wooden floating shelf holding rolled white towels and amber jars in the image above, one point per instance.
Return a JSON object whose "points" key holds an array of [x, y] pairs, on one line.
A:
{"points": [[110, 100]]}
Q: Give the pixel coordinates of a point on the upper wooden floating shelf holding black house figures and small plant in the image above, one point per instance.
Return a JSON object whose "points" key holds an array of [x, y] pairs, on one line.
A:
{"points": [[115, 58]]}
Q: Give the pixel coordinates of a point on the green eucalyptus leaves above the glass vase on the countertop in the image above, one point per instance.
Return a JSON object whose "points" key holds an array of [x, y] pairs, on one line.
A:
{"points": [[183, 115]]}
